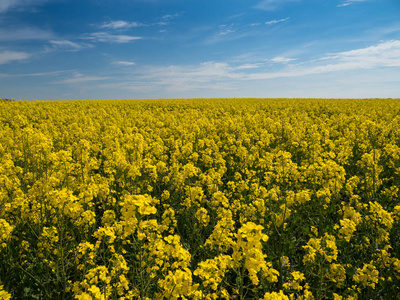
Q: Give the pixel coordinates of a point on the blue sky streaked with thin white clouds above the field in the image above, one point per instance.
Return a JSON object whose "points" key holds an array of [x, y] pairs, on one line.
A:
{"points": [[130, 49]]}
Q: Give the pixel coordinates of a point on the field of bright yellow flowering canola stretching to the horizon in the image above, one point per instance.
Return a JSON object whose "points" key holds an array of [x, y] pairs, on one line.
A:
{"points": [[200, 199]]}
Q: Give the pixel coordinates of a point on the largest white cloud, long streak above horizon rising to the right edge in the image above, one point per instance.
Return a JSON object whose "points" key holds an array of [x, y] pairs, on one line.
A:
{"points": [[212, 74]]}
